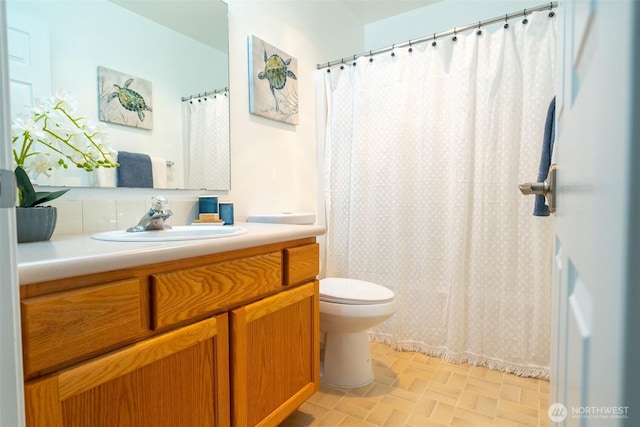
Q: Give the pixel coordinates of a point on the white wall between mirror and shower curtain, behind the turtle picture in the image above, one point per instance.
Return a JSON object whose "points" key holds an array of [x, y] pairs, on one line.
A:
{"points": [[273, 166]]}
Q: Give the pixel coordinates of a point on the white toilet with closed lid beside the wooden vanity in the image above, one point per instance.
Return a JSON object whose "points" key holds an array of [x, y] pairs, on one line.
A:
{"points": [[348, 309]]}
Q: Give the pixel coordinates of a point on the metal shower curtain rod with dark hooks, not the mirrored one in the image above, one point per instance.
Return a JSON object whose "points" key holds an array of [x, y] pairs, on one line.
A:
{"points": [[548, 6]]}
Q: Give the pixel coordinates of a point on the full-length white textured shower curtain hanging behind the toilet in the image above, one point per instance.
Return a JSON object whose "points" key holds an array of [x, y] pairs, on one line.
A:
{"points": [[424, 151]]}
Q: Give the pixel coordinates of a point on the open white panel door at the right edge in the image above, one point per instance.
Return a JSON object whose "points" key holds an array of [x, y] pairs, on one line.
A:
{"points": [[594, 380]]}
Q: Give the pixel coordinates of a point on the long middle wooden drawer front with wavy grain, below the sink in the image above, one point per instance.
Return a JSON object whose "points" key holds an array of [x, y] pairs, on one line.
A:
{"points": [[185, 294]]}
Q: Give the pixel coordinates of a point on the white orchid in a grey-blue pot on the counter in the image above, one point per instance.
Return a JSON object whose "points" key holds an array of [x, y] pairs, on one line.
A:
{"points": [[46, 137]]}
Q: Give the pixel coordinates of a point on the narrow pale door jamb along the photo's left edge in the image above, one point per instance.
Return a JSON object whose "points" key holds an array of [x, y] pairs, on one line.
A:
{"points": [[11, 389]]}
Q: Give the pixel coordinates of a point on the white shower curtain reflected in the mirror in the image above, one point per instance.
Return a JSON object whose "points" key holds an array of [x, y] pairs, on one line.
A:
{"points": [[207, 133]]}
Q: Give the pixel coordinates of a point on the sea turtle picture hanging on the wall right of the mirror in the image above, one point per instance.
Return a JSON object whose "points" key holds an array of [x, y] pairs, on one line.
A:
{"points": [[273, 82]]}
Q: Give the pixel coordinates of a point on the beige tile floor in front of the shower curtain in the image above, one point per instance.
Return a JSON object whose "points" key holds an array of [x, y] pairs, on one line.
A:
{"points": [[412, 389]]}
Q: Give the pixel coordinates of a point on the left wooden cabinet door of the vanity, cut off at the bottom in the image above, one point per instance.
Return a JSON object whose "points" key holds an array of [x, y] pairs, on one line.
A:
{"points": [[176, 379]]}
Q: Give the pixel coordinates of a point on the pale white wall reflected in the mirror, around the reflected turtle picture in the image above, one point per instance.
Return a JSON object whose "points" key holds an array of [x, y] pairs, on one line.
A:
{"points": [[88, 34]]}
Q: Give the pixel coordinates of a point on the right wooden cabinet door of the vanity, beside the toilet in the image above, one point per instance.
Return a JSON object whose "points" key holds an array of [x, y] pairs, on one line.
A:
{"points": [[276, 356]]}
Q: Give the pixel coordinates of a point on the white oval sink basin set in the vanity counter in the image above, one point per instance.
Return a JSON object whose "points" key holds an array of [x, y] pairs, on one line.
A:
{"points": [[179, 232]]}
